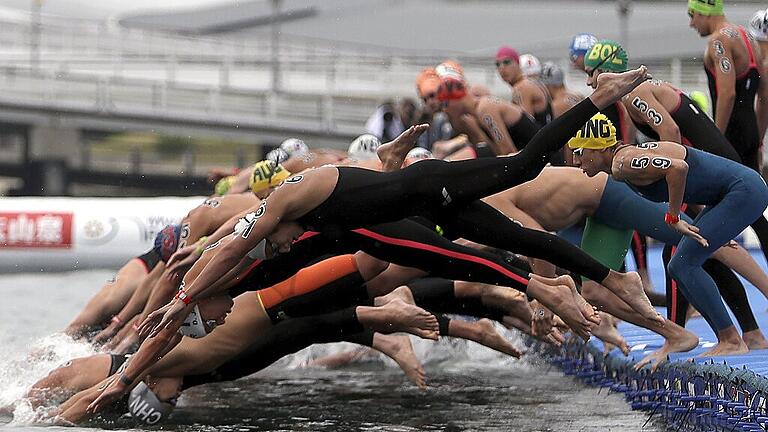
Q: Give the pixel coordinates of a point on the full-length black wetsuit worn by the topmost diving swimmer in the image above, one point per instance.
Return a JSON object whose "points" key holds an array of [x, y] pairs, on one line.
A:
{"points": [[448, 193]]}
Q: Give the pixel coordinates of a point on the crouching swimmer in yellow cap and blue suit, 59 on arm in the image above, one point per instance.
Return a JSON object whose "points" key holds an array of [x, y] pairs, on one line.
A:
{"points": [[665, 171]]}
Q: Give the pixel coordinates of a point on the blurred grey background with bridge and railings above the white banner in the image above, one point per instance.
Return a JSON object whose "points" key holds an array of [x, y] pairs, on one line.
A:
{"points": [[144, 98]]}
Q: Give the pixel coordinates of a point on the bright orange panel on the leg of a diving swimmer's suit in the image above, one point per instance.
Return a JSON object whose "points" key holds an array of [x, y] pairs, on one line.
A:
{"points": [[308, 279]]}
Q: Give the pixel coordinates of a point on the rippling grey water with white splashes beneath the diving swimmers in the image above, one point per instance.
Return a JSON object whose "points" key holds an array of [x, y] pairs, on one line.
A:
{"points": [[470, 387]]}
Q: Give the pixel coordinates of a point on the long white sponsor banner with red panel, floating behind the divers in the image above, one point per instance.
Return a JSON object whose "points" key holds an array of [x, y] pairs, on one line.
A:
{"points": [[62, 234]]}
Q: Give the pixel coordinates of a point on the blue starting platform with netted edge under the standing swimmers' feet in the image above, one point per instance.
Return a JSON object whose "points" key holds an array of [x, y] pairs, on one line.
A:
{"points": [[689, 393]]}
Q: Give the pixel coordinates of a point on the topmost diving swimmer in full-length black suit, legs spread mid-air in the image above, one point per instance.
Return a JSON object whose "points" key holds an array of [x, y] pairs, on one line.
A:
{"points": [[307, 202]]}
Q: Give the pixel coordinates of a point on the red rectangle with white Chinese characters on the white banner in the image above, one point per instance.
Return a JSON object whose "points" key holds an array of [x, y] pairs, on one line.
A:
{"points": [[35, 230]]}
